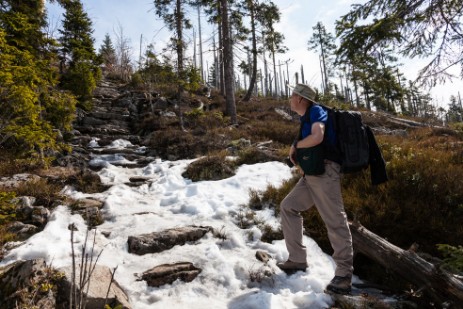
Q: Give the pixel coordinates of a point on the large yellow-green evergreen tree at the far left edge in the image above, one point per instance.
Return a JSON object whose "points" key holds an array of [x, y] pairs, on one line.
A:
{"points": [[30, 106]]}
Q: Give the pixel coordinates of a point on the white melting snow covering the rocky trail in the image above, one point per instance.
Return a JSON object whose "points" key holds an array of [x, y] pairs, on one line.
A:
{"points": [[171, 201]]}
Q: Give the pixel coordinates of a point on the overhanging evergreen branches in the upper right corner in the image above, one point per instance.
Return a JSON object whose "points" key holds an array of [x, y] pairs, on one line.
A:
{"points": [[412, 28]]}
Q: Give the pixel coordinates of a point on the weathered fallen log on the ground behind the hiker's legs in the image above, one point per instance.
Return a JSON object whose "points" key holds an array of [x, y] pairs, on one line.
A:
{"points": [[440, 285]]}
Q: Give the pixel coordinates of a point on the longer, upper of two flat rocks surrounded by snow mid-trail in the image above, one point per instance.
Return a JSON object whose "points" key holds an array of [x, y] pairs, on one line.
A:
{"points": [[164, 240]]}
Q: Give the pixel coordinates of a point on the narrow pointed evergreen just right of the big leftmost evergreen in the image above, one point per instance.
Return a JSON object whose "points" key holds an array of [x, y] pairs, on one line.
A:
{"points": [[79, 62]]}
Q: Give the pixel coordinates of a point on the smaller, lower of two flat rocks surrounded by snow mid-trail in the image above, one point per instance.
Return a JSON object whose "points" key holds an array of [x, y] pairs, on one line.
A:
{"points": [[168, 273]]}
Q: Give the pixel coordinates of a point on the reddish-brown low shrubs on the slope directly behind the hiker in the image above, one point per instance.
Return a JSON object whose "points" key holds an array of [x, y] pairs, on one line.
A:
{"points": [[421, 203]]}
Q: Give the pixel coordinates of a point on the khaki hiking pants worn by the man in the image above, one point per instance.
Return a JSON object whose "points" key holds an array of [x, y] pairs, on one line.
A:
{"points": [[323, 192]]}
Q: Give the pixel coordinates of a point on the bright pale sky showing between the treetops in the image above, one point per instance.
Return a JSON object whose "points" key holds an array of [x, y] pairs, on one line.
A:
{"points": [[143, 27]]}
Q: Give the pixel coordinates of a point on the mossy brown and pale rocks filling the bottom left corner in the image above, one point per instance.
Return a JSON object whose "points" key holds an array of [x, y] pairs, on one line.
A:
{"points": [[34, 284]]}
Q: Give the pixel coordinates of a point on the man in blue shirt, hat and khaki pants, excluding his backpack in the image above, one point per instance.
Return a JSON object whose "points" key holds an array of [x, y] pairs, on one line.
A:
{"points": [[322, 189]]}
